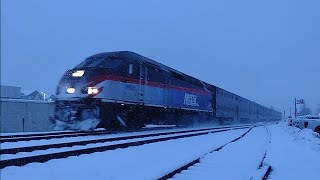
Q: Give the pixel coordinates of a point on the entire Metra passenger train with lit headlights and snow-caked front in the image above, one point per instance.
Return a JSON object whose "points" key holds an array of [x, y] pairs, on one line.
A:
{"points": [[118, 90]]}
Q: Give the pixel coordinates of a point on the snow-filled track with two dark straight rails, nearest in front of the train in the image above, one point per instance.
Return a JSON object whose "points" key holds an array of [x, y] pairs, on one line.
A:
{"points": [[128, 141]]}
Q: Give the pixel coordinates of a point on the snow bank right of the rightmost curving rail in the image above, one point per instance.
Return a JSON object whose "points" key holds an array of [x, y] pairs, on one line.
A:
{"points": [[293, 153]]}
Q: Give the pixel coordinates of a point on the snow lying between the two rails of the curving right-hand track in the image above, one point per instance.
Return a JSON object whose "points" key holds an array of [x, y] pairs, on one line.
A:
{"points": [[239, 159]]}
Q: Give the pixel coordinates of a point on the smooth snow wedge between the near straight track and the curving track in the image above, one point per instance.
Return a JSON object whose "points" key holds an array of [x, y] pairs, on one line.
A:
{"points": [[148, 161]]}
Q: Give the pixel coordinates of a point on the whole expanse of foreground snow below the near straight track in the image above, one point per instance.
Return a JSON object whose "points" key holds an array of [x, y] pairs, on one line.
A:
{"points": [[292, 154]]}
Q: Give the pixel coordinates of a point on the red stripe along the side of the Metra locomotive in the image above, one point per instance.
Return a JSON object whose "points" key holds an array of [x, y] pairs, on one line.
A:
{"points": [[97, 79]]}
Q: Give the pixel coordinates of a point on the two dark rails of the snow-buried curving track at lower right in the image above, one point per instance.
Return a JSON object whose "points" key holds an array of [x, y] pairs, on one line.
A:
{"points": [[262, 172]]}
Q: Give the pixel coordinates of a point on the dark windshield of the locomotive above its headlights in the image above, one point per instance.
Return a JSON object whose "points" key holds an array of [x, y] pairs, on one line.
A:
{"points": [[100, 62]]}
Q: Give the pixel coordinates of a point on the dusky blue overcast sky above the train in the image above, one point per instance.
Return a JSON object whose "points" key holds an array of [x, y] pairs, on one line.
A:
{"points": [[265, 50]]}
